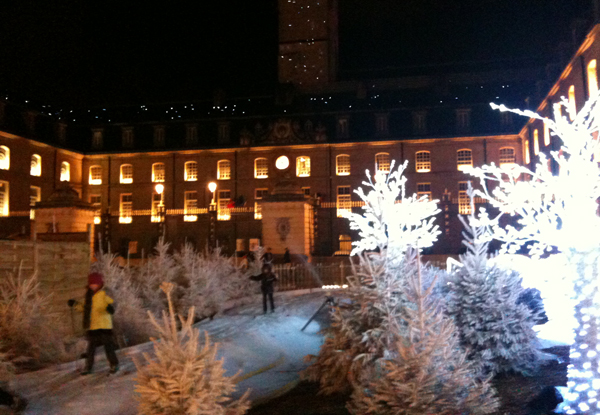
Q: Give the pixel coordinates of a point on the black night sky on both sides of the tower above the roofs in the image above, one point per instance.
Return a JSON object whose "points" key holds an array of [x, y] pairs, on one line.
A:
{"points": [[89, 53]]}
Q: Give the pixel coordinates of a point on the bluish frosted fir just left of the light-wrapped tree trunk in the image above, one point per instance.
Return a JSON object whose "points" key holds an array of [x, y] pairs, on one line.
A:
{"points": [[483, 299]]}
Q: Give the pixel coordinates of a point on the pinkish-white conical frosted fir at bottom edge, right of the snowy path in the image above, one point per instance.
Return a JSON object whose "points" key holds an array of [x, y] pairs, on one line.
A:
{"points": [[425, 372]]}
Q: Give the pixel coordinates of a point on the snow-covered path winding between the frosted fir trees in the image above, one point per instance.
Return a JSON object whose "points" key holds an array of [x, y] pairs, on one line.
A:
{"points": [[267, 349]]}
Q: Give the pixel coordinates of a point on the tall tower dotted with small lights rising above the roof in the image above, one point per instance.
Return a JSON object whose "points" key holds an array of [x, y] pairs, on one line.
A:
{"points": [[308, 42]]}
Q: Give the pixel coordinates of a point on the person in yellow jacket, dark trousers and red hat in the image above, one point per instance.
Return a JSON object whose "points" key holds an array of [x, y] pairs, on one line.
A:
{"points": [[97, 310]]}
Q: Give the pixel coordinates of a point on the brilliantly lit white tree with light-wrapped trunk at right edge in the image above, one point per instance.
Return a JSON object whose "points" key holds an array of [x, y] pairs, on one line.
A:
{"points": [[559, 212]]}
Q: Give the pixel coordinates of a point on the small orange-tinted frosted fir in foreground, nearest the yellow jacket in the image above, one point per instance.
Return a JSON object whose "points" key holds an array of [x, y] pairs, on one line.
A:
{"points": [[184, 377]]}
